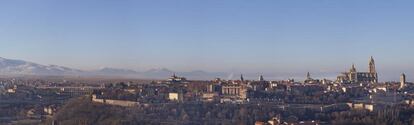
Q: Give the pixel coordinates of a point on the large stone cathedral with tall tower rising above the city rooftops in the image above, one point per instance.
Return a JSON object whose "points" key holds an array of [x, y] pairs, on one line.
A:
{"points": [[360, 77]]}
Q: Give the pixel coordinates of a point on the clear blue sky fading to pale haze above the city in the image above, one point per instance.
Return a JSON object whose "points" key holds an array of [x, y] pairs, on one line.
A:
{"points": [[269, 36]]}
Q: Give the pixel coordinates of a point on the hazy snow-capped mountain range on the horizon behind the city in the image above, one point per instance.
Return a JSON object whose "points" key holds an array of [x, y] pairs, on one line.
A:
{"points": [[20, 67]]}
